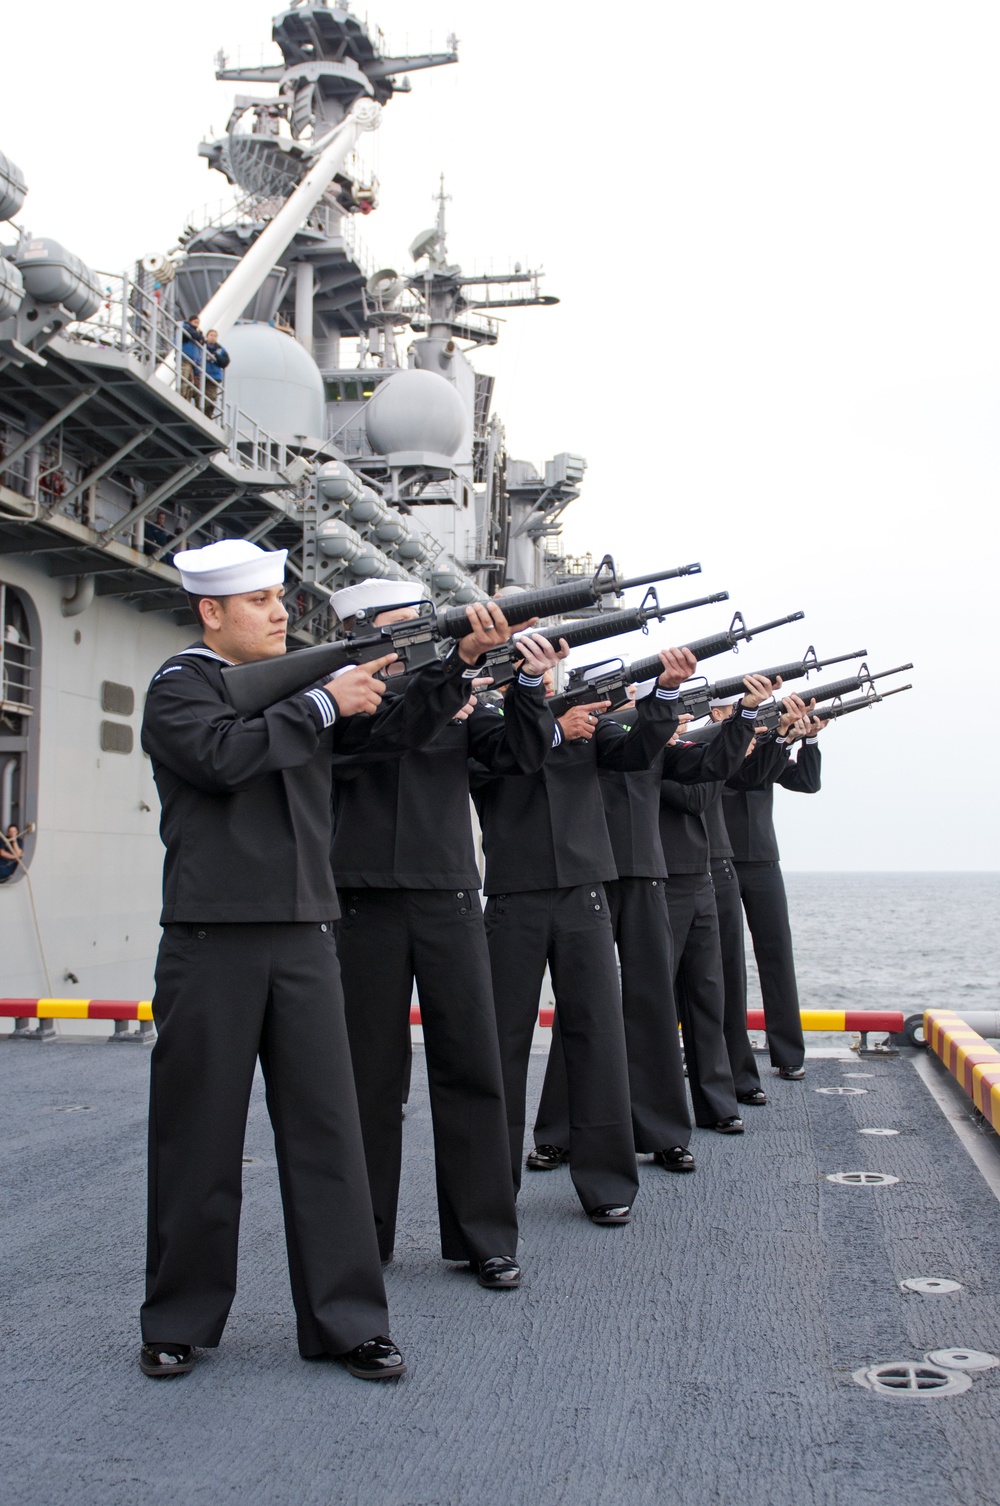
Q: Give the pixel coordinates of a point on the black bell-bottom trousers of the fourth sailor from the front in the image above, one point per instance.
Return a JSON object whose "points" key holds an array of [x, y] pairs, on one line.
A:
{"points": [[656, 1069]]}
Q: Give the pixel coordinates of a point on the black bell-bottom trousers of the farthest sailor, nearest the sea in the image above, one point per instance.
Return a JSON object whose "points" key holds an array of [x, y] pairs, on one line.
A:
{"points": [[764, 900]]}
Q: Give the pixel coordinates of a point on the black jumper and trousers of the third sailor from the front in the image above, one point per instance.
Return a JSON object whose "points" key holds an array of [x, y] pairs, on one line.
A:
{"points": [[549, 858]]}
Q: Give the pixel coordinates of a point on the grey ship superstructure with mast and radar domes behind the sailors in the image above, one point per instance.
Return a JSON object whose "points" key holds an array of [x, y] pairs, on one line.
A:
{"points": [[352, 430]]}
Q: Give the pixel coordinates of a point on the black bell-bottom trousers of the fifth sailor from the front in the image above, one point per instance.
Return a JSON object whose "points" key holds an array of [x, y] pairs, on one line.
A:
{"points": [[701, 996]]}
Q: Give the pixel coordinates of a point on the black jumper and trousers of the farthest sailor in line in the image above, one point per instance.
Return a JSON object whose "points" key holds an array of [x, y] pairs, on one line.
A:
{"points": [[751, 826]]}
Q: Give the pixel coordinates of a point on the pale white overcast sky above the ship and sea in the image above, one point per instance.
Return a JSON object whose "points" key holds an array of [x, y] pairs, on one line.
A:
{"points": [[775, 233]]}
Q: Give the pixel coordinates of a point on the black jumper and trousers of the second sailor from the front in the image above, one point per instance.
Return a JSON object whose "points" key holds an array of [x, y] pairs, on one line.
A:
{"points": [[406, 867]]}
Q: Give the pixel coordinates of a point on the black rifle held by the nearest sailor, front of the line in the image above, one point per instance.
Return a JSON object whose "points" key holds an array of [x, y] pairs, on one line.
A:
{"points": [[252, 687]]}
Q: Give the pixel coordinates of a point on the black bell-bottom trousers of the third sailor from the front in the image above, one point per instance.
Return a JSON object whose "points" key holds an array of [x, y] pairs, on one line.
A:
{"points": [[572, 931]]}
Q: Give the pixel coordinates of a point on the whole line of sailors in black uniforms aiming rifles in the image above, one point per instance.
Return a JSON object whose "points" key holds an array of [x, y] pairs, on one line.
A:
{"points": [[609, 840]]}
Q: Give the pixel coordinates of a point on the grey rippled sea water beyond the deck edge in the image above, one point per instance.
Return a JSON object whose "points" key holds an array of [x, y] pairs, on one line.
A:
{"points": [[904, 942]]}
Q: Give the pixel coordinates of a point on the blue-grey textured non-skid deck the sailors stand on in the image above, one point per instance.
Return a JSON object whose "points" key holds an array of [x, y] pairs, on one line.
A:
{"points": [[701, 1358]]}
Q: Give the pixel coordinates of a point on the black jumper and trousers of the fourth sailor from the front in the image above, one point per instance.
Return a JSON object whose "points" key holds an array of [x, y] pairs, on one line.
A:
{"points": [[638, 901]]}
